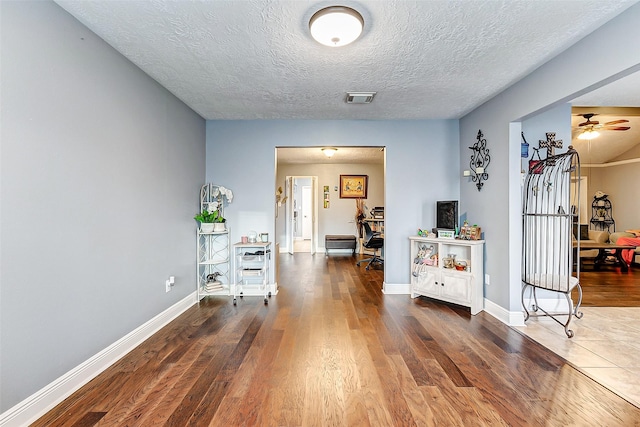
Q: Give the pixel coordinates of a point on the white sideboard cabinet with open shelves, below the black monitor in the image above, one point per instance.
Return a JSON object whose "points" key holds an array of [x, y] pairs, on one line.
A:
{"points": [[448, 270]]}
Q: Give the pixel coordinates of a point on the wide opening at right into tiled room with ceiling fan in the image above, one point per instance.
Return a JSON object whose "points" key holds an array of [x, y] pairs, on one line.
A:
{"points": [[610, 296]]}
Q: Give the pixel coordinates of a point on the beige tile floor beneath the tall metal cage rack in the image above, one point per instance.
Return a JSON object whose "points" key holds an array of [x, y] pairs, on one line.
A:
{"points": [[605, 347]]}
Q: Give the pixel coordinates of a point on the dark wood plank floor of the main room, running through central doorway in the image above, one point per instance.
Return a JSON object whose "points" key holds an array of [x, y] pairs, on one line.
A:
{"points": [[331, 350]]}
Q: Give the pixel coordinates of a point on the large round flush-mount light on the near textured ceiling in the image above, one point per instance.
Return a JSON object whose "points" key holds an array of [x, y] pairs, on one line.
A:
{"points": [[336, 26]]}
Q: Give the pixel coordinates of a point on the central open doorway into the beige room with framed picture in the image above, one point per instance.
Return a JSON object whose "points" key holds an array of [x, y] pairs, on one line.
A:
{"points": [[331, 214]]}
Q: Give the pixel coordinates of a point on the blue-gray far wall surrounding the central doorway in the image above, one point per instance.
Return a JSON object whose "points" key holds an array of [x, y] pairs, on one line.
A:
{"points": [[421, 168]]}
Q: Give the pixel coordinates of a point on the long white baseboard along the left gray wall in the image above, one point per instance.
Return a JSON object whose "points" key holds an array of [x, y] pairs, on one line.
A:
{"points": [[49, 396]]}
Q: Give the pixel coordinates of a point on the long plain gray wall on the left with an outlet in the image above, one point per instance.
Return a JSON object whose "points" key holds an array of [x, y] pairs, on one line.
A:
{"points": [[100, 173]]}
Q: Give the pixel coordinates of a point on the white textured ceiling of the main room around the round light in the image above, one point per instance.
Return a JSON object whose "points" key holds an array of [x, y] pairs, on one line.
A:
{"points": [[255, 59]]}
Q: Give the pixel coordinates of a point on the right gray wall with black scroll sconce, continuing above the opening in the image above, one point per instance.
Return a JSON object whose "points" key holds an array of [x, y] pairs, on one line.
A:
{"points": [[497, 206]]}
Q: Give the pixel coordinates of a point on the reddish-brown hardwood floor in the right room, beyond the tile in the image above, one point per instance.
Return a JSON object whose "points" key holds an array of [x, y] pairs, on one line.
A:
{"points": [[610, 286]]}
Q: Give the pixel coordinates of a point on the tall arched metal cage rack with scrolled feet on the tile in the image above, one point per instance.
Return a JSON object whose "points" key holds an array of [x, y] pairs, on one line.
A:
{"points": [[549, 252]]}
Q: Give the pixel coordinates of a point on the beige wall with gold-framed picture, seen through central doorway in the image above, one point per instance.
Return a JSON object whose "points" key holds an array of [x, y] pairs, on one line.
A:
{"points": [[339, 217]]}
